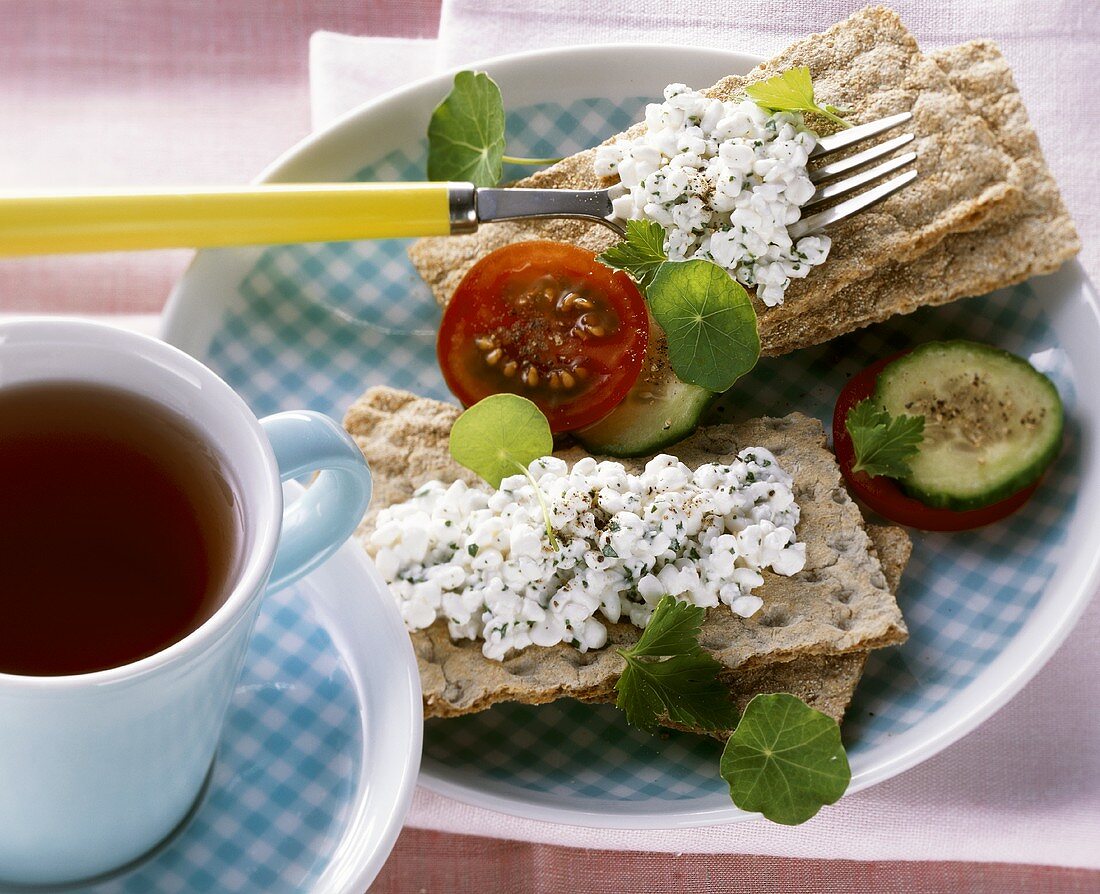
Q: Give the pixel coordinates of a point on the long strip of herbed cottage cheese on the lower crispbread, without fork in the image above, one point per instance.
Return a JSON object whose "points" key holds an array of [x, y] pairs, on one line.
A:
{"points": [[482, 559]]}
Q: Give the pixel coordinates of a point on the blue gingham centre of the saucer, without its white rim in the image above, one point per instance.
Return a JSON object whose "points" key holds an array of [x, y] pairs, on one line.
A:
{"points": [[285, 774]]}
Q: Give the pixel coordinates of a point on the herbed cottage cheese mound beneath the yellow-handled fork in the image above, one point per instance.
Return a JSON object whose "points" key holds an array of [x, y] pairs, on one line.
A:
{"points": [[725, 180]]}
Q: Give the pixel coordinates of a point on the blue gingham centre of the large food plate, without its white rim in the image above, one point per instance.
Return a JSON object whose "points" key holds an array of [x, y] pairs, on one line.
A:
{"points": [[314, 326]]}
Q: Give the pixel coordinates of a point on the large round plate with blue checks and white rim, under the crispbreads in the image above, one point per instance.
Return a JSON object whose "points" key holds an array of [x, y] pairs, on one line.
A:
{"points": [[313, 326]]}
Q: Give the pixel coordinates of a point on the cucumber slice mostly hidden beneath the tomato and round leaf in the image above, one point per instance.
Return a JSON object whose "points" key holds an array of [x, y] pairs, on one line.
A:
{"points": [[658, 411]]}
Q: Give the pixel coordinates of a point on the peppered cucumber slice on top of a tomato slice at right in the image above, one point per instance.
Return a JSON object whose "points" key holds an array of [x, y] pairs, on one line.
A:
{"points": [[993, 424]]}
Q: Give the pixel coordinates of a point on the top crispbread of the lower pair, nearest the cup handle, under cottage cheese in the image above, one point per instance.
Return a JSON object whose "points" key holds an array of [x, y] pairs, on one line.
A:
{"points": [[840, 604]]}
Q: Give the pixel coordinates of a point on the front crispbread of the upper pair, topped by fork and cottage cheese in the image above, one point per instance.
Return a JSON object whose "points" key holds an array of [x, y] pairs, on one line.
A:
{"points": [[872, 64]]}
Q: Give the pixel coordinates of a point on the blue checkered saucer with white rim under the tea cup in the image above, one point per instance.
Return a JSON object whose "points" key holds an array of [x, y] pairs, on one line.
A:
{"points": [[320, 757]]}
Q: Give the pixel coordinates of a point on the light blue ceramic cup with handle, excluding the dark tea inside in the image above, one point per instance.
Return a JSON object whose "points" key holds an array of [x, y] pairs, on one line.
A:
{"points": [[97, 769]]}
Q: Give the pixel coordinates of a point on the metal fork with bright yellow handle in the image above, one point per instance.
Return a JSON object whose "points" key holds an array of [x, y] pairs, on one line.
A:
{"points": [[277, 214]]}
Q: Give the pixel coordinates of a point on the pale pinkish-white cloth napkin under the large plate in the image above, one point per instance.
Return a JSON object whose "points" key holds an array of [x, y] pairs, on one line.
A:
{"points": [[1025, 788]]}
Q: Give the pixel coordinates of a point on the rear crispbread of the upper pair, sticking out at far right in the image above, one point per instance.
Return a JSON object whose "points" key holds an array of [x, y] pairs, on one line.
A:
{"points": [[1036, 239]]}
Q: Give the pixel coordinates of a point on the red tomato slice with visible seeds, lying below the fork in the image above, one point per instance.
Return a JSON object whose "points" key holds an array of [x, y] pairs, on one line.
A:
{"points": [[547, 322]]}
